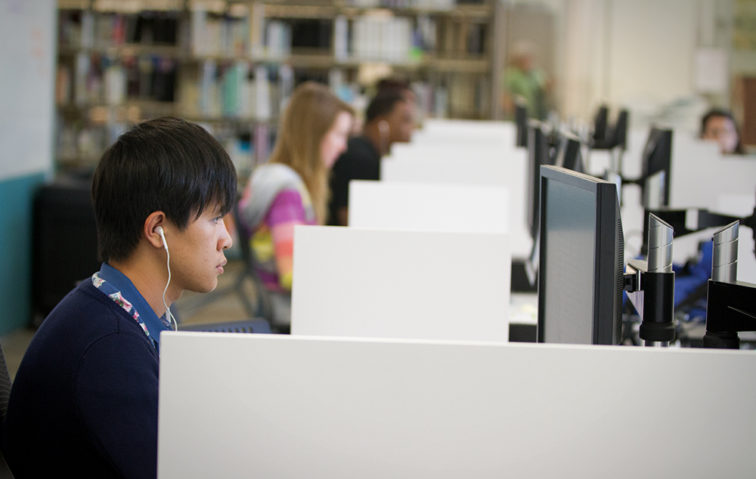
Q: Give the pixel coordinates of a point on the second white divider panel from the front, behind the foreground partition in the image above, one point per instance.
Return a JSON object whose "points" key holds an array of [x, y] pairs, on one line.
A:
{"points": [[400, 284]]}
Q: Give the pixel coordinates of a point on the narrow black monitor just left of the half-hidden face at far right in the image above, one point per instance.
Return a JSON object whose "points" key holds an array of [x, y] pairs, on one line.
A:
{"points": [[656, 168]]}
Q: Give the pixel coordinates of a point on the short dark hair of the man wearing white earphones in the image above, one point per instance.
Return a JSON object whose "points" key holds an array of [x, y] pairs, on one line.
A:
{"points": [[166, 164]]}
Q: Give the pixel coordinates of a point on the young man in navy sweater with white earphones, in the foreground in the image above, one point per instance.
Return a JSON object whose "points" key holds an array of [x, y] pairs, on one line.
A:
{"points": [[85, 400]]}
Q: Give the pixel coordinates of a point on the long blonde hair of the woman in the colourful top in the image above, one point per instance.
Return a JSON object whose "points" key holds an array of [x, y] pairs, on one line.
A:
{"points": [[311, 112]]}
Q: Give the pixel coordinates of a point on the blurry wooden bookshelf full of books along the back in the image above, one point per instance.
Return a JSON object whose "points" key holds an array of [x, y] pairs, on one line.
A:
{"points": [[231, 64]]}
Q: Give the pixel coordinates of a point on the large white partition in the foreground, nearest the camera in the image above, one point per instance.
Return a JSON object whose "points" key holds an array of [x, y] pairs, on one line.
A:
{"points": [[245, 405]]}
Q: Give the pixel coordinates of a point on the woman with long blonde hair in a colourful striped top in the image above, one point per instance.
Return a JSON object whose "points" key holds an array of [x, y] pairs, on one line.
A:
{"points": [[292, 188]]}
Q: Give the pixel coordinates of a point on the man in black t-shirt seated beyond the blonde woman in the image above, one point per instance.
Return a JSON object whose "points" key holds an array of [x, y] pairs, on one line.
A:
{"points": [[389, 119]]}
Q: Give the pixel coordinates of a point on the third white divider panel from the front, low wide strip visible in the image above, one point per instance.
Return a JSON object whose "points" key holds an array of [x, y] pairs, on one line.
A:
{"points": [[437, 207]]}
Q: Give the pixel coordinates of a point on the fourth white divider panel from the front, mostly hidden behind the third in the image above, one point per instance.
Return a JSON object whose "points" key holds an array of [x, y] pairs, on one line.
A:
{"points": [[508, 170]]}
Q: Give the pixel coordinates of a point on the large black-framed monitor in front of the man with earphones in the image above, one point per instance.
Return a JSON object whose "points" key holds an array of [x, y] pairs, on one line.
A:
{"points": [[581, 266]]}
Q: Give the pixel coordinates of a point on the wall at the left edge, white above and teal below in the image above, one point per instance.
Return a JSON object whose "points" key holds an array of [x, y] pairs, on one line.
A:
{"points": [[27, 59]]}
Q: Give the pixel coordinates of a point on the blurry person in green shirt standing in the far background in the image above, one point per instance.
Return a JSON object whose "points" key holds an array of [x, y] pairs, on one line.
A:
{"points": [[522, 80]]}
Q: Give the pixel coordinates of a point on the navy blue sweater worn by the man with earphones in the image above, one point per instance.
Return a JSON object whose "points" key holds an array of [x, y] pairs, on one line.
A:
{"points": [[84, 402]]}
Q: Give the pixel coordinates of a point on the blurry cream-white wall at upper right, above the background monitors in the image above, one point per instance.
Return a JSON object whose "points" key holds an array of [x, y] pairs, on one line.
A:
{"points": [[632, 53]]}
